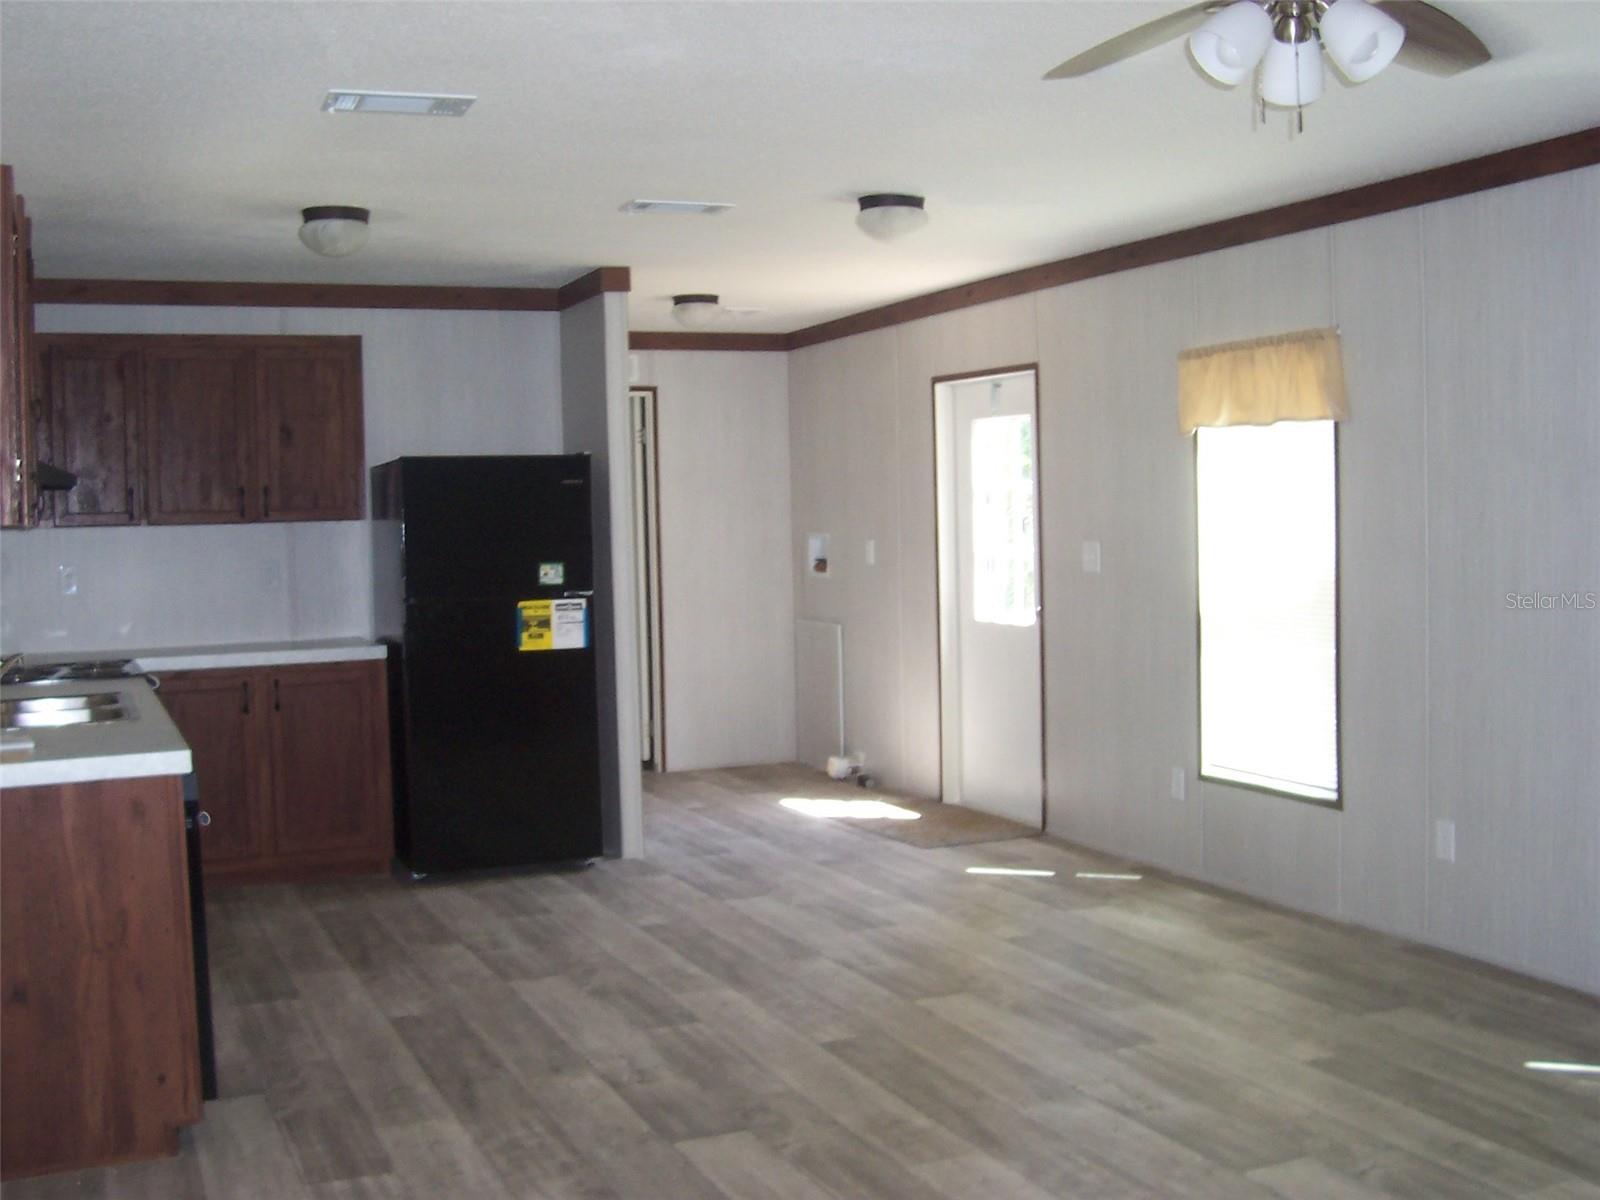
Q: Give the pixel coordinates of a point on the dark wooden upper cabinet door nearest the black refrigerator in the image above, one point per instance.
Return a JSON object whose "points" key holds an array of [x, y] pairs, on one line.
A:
{"points": [[310, 436]]}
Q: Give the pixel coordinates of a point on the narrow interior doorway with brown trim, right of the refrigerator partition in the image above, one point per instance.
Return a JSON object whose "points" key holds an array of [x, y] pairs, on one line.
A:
{"points": [[647, 569]]}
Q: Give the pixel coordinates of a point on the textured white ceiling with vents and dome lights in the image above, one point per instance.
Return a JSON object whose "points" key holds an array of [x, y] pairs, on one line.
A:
{"points": [[182, 140]]}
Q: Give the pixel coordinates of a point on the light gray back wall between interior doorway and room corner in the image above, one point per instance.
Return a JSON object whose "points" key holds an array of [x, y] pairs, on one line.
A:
{"points": [[722, 433]]}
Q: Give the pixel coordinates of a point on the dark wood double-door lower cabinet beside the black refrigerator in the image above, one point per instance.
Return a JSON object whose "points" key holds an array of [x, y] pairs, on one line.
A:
{"points": [[294, 769]]}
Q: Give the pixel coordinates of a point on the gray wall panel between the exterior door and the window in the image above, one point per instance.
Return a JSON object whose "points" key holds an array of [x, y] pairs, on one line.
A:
{"points": [[1121, 646]]}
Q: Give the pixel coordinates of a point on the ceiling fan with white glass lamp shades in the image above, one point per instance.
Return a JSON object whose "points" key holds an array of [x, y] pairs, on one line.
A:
{"points": [[1228, 41]]}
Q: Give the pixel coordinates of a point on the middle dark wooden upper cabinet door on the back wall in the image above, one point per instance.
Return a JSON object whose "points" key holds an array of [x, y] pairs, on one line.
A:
{"points": [[199, 434]]}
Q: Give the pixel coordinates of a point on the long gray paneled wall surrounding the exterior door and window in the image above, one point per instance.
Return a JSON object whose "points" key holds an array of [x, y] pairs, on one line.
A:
{"points": [[1470, 470]]}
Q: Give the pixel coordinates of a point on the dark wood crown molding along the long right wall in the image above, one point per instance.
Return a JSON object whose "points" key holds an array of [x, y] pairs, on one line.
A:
{"points": [[1442, 183]]}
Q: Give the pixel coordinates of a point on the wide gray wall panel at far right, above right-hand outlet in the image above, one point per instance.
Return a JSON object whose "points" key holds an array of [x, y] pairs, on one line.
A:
{"points": [[1514, 508]]}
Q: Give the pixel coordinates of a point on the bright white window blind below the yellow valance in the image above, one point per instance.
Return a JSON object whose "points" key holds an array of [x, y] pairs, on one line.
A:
{"points": [[1268, 511]]}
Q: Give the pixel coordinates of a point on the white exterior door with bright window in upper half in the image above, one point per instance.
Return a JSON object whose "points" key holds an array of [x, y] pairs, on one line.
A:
{"points": [[990, 602]]}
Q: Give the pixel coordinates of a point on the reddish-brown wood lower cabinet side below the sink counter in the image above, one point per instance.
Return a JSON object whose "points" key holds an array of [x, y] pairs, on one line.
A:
{"points": [[98, 1054]]}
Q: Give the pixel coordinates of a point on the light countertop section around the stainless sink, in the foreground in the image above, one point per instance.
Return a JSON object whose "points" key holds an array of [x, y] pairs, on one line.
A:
{"points": [[143, 745]]}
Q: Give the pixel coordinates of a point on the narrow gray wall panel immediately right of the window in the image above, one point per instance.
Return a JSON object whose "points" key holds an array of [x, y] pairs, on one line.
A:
{"points": [[1383, 574]]}
